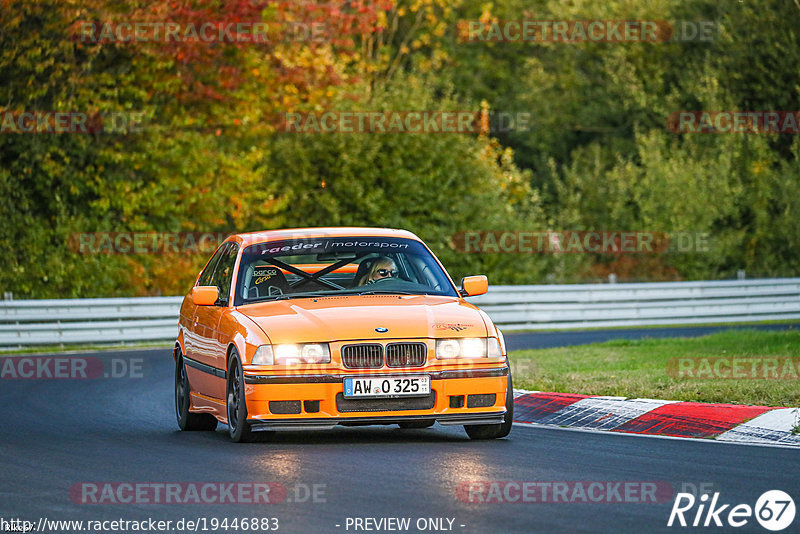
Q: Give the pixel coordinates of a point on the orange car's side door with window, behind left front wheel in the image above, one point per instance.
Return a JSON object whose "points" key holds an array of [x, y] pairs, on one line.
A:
{"points": [[211, 344]]}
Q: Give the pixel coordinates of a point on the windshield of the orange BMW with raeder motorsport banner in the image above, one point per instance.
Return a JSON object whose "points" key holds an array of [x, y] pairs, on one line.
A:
{"points": [[338, 266]]}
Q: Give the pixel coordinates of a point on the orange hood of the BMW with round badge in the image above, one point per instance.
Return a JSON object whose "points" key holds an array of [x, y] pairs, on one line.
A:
{"points": [[356, 317]]}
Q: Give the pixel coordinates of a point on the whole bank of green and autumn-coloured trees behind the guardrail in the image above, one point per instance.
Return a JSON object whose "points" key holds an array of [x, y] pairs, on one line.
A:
{"points": [[207, 157]]}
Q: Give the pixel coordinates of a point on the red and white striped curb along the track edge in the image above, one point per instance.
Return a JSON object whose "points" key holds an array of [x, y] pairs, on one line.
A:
{"points": [[723, 422]]}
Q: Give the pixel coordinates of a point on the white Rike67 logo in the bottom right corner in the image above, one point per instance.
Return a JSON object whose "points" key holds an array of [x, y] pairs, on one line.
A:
{"points": [[774, 510]]}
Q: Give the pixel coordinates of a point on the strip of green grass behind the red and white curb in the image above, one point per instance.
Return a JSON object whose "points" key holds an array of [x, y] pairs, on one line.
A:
{"points": [[640, 368]]}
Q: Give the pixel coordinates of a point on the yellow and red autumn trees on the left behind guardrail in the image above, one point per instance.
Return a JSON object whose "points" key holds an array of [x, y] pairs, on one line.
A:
{"points": [[195, 165]]}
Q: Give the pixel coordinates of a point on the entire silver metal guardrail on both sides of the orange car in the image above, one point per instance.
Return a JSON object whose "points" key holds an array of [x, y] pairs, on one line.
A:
{"points": [[534, 307]]}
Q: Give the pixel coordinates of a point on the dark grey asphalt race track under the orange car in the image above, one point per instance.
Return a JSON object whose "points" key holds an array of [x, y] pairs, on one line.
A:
{"points": [[59, 433]]}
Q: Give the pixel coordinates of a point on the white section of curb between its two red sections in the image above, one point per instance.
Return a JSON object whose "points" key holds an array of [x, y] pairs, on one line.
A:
{"points": [[602, 413]]}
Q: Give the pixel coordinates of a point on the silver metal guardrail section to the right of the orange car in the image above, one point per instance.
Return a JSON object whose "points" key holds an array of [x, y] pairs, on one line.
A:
{"points": [[660, 303]]}
